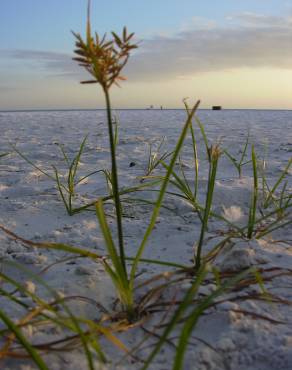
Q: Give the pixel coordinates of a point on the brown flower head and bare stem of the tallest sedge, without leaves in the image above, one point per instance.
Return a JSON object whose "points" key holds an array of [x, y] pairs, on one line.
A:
{"points": [[104, 60]]}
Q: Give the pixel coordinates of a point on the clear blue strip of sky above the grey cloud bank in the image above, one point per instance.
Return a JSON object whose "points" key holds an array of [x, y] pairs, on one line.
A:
{"points": [[46, 25]]}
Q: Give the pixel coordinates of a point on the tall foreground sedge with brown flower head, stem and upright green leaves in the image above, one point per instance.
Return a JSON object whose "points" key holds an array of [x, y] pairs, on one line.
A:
{"points": [[105, 60]]}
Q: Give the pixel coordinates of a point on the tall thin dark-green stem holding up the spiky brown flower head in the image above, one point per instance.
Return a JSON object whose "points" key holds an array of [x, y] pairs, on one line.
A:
{"points": [[115, 183]]}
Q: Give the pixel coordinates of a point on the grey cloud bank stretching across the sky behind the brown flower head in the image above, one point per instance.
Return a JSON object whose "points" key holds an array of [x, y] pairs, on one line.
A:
{"points": [[248, 40]]}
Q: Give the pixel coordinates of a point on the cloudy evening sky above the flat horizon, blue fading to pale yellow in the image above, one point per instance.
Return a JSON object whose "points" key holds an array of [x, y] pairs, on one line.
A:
{"points": [[234, 53]]}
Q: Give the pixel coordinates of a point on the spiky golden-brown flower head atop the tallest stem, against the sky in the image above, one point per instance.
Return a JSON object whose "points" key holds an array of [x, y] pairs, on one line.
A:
{"points": [[103, 59]]}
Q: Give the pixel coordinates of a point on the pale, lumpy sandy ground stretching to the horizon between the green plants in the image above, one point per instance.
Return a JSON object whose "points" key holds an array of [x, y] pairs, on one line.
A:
{"points": [[240, 333]]}
